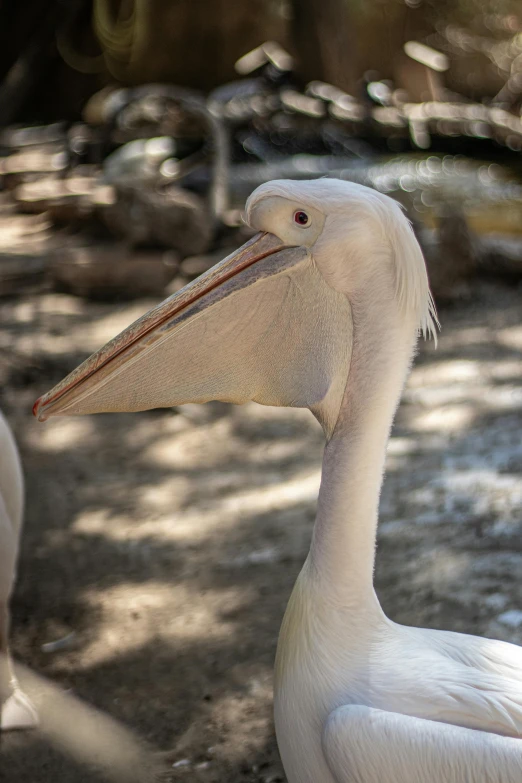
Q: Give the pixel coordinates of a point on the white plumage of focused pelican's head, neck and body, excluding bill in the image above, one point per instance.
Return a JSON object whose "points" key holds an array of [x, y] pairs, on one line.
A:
{"points": [[337, 649]]}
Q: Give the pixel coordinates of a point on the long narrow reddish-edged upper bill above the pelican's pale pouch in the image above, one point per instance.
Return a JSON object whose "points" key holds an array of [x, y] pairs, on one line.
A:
{"points": [[142, 334]]}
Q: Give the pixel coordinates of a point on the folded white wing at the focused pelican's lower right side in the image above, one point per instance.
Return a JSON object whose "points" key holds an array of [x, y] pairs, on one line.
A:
{"points": [[367, 745]]}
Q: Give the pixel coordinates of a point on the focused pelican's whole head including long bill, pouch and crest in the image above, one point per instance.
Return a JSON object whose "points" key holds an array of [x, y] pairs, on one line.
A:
{"points": [[274, 322]]}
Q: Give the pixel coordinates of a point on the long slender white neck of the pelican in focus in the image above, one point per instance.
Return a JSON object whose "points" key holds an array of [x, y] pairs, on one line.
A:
{"points": [[342, 553]]}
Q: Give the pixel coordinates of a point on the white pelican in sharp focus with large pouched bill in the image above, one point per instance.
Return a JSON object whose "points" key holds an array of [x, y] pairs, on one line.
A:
{"points": [[322, 310]]}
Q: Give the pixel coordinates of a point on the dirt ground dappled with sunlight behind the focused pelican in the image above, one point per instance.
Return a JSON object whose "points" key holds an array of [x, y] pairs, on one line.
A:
{"points": [[168, 542]]}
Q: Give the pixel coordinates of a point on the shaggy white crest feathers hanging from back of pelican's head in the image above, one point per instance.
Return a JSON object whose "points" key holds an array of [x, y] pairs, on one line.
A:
{"points": [[413, 289]]}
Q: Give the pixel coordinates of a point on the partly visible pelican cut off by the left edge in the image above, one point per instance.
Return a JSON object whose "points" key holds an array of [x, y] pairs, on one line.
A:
{"points": [[16, 711]]}
